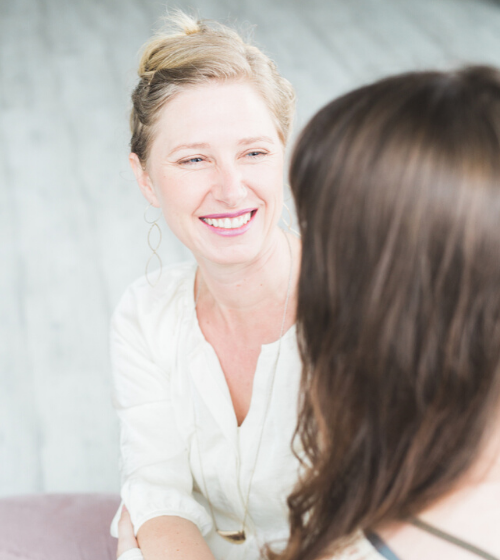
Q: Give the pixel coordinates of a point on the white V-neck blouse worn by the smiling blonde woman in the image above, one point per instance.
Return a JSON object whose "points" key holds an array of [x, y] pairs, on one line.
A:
{"points": [[168, 384]]}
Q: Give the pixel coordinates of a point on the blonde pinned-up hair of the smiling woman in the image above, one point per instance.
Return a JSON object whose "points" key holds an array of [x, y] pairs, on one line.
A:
{"points": [[191, 52]]}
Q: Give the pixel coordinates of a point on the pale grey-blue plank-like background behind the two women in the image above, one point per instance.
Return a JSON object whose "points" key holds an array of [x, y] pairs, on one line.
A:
{"points": [[71, 230]]}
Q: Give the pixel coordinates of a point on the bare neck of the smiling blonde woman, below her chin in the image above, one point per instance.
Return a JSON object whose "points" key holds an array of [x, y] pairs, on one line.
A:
{"points": [[236, 291]]}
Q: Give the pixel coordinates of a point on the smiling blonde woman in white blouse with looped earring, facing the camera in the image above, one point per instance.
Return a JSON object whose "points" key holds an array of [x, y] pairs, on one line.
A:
{"points": [[206, 368]]}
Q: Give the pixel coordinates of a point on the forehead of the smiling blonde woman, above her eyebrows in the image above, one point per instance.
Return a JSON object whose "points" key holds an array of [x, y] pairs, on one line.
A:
{"points": [[213, 113]]}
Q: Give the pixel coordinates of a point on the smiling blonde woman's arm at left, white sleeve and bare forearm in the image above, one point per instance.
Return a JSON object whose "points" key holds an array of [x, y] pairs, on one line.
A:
{"points": [[156, 475]]}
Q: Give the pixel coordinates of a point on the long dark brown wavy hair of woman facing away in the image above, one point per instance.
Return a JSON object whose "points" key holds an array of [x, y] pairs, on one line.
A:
{"points": [[397, 189]]}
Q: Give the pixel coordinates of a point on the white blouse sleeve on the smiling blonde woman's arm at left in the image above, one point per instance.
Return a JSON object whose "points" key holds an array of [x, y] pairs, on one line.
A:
{"points": [[156, 475]]}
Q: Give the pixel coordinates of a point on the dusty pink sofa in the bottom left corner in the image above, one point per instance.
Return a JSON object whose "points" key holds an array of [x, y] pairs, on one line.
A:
{"points": [[57, 527]]}
